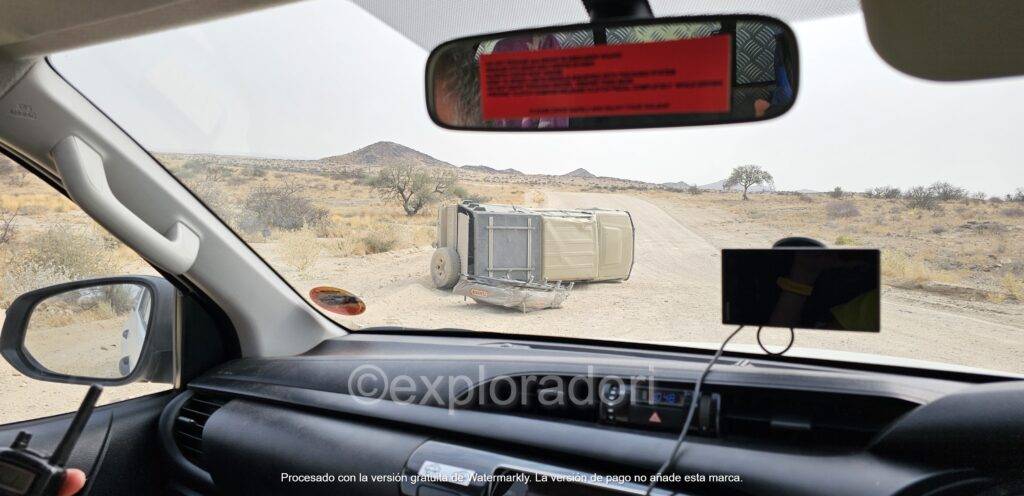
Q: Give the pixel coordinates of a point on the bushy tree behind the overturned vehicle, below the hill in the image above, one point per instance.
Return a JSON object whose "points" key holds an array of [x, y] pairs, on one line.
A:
{"points": [[413, 187]]}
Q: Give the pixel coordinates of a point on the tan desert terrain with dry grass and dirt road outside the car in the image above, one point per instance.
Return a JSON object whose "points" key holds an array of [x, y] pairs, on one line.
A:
{"points": [[953, 274]]}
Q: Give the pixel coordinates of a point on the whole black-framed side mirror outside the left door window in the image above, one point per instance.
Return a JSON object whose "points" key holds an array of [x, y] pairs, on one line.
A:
{"points": [[109, 332]]}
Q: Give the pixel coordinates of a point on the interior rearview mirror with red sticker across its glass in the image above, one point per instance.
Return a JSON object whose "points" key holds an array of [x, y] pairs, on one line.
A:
{"points": [[618, 75]]}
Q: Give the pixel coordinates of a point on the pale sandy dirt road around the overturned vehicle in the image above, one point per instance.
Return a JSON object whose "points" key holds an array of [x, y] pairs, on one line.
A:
{"points": [[674, 296]]}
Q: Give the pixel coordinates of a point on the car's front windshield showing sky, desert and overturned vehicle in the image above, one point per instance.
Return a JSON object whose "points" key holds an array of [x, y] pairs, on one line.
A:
{"points": [[305, 129]]}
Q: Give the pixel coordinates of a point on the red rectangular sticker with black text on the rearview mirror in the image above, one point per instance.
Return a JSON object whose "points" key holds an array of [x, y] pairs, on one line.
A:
{"points": [[666, 77]]}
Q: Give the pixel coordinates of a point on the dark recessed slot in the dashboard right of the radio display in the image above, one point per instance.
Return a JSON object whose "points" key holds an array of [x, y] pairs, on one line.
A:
{"points": [[806, 419]]}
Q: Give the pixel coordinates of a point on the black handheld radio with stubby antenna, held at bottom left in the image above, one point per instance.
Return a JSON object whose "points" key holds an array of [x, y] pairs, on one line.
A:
{"points": [[27, 473]]}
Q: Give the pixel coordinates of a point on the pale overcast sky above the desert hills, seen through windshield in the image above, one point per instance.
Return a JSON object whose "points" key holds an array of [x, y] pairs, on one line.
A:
{"points": [[325, 78]]}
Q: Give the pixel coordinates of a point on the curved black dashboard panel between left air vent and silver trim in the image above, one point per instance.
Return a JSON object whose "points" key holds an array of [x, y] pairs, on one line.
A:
{"points": [[250, 448]]}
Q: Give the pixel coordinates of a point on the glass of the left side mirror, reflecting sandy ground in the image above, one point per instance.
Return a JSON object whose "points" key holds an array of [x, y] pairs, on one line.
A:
{"points": [[96, 332]]}
